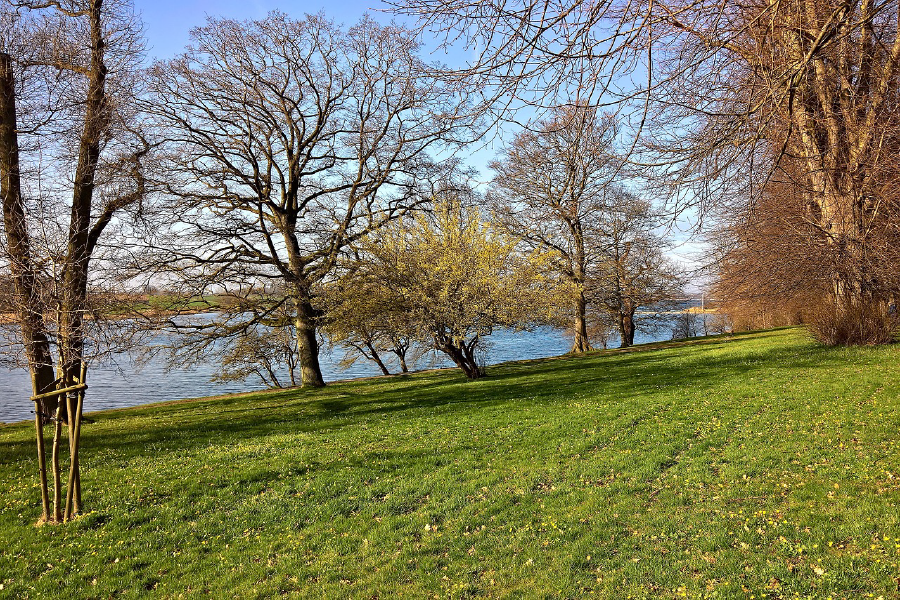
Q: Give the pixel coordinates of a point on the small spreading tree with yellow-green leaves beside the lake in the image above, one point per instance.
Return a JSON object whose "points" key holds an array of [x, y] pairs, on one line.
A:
{"points": [[450, 278]]}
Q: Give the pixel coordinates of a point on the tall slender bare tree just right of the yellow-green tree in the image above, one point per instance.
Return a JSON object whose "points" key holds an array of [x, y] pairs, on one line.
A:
{"points": [[550, 187]]}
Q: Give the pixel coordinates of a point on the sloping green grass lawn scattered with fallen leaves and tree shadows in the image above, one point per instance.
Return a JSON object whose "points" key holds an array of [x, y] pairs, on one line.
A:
{"points": [[761, 466]]}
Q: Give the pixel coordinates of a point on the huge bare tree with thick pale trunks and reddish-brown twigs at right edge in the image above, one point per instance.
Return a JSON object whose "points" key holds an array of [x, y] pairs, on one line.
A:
{"points": [[815, 224]]}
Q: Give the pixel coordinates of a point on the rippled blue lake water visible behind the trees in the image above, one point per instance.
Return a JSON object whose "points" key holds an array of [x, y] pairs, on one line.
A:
{"points": [[117, 386]]}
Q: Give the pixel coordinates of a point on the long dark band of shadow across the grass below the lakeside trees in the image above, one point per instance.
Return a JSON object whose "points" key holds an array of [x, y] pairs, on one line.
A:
{"points": [[598, 376]]}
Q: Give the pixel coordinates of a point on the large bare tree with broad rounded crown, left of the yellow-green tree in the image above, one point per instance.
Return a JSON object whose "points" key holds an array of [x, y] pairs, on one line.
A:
{"points": [[290, 139]]}
